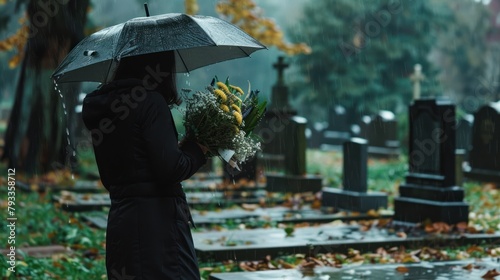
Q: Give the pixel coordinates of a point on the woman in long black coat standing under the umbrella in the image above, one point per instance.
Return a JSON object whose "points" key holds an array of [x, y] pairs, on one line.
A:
{"points": [[142, 166]]}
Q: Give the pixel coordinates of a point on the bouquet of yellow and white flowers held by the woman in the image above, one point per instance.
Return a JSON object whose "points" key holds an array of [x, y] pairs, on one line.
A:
{"points": [[223, 118]]}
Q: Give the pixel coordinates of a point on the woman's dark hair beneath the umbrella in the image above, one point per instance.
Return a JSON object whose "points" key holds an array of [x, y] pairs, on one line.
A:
{"points": [[136, 67]]}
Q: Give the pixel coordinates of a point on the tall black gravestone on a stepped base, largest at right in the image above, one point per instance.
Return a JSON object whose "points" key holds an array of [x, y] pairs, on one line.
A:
{"points": [[430, 191]]}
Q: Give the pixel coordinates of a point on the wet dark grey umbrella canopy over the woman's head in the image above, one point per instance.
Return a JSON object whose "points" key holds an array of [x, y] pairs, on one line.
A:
{"points": [[196, 41]]}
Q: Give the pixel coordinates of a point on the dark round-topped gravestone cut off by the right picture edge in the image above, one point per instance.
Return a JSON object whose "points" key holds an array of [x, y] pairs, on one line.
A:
{"points": [[484, 156]]}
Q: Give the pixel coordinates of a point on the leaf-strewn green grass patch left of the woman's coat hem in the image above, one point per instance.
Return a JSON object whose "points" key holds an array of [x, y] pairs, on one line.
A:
{"points": [[39, 223]]}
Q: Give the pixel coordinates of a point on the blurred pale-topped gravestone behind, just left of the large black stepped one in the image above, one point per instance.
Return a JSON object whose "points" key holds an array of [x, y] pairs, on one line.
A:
{"points": [[381, 131]]}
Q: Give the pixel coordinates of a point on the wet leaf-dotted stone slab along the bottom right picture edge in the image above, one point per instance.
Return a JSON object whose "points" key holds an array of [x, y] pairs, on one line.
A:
{"points": [[452, 270]]}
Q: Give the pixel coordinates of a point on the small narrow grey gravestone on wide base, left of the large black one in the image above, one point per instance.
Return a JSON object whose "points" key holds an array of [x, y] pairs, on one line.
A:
{"points": [[354, 195]]}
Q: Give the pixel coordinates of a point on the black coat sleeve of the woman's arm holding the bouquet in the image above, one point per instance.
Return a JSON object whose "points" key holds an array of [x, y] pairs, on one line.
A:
{"points": [[170, 164]]}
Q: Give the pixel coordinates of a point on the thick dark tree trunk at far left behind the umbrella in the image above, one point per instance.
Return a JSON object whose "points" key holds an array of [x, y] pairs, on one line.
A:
{"points": [[36, 140]]}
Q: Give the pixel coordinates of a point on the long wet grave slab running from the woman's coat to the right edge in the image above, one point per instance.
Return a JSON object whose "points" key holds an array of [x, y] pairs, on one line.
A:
{"points": [[258, 243]]}
